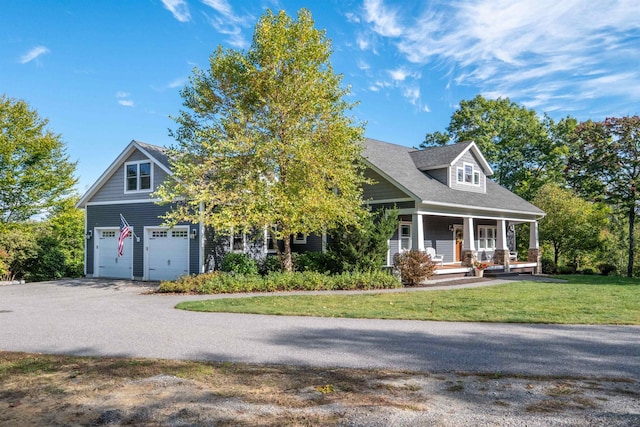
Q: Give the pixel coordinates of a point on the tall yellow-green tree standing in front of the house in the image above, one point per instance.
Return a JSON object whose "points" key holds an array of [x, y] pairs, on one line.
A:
{"points": [[265, 141]]}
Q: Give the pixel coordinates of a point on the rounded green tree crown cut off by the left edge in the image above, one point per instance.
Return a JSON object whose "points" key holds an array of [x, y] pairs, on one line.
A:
{"points": [[35, 171]]}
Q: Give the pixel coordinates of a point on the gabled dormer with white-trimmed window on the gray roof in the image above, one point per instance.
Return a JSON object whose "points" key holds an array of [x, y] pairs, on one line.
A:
{"points": [[459, 166]]}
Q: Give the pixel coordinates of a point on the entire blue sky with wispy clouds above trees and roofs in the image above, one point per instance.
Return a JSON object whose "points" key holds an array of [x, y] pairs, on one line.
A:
{"points": [[105, 72]]}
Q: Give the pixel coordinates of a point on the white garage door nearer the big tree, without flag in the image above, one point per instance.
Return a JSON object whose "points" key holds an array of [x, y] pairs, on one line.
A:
{"points": [[167, 253]]}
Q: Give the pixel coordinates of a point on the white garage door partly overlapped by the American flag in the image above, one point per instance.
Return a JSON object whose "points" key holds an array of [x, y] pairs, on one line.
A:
{"points": [[107, 262]]}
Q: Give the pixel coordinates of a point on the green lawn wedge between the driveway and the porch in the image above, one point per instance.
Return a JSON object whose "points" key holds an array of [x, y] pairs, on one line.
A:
{"points": [[582, 300]]}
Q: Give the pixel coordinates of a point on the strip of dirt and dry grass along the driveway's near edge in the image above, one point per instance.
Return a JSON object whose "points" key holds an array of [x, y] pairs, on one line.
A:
{"points": [[66, 391]]}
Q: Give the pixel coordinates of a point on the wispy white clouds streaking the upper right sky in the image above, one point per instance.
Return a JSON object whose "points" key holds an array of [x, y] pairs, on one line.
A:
{"points": [[537, 53]]}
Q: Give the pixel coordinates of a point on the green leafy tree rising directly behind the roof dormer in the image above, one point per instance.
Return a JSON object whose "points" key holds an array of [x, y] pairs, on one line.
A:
{"points": [[524, 151]]}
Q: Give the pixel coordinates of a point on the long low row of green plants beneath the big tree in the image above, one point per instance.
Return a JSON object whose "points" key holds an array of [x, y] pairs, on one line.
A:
{"points": [[219, 282]]}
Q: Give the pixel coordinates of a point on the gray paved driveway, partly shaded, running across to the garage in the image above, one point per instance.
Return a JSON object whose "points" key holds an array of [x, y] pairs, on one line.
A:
{"points": [[116, 318]]}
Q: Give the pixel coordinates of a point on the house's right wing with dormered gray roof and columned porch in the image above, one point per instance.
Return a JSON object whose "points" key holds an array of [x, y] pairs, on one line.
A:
{"points": [[447, 202]]}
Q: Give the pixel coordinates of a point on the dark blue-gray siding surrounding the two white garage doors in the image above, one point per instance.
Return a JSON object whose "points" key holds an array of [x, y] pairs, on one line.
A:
{"points": [[138, 215]]}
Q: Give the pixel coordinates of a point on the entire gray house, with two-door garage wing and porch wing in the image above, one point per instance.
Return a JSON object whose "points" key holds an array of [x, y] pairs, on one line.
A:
{"points": [[445, 199]]}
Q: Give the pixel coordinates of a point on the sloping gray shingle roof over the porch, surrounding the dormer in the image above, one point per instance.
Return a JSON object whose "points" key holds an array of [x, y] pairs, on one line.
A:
{"points": [[396, 164]]}
